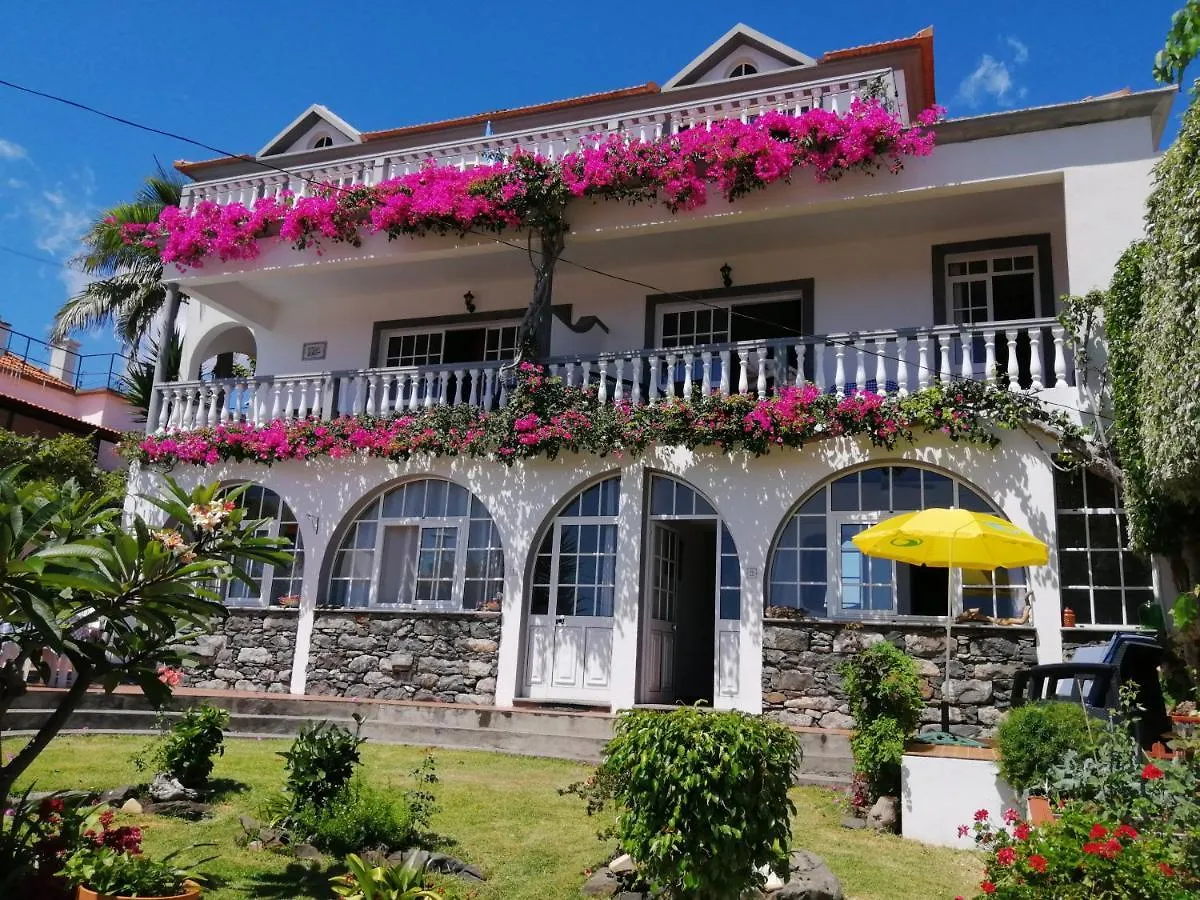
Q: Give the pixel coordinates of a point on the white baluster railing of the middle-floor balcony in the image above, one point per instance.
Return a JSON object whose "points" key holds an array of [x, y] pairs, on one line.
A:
{"points": [[1019, 356]]}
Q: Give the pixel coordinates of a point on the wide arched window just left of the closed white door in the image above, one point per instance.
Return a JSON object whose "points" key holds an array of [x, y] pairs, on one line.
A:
{"points": [[425, 545]]}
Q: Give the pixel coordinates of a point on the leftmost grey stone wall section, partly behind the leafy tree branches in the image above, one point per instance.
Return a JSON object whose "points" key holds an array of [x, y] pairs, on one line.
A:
{"points": [[251, 653]]}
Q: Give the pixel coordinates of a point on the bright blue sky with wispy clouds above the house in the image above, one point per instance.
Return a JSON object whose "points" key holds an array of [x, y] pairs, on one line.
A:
{"points": [[233, 74]]}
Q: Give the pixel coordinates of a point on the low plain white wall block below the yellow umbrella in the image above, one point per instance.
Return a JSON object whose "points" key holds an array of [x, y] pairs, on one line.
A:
{"points": [[939, 794]]}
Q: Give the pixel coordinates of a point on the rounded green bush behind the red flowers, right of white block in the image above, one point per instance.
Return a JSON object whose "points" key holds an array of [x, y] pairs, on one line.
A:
{"points": [[1035, 739]]}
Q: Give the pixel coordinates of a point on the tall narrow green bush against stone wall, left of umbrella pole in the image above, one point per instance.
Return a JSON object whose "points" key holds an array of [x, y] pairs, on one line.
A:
{"points": [[884, 689]]}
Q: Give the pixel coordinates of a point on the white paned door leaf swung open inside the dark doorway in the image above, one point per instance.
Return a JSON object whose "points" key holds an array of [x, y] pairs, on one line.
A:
{"points": [[662, 603]]}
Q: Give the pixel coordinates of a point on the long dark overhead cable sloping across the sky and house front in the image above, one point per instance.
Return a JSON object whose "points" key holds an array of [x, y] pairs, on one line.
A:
{"points": [[731, 310]]}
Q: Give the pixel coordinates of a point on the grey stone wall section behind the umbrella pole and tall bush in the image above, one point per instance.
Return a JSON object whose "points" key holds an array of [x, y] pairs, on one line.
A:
{"points": [[802, 687]]}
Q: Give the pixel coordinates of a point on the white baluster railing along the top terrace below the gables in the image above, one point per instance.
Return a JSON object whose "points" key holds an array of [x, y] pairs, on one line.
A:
{"points": [[553, 142]]}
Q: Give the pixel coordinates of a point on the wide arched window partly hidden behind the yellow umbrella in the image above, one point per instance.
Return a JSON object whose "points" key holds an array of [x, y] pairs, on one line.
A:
{"points": [[815, 566]]}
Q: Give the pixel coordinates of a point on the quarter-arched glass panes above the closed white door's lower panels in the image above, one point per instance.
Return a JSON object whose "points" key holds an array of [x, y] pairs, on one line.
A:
{"points": [[577, 563]]}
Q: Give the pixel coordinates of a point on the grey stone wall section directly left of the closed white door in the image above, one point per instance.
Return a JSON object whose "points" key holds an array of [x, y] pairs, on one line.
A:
{"points": [[406, 656]]}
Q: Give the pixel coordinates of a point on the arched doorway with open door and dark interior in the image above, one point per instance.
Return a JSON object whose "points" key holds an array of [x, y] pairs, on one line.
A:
{"points": [[692, 599]]}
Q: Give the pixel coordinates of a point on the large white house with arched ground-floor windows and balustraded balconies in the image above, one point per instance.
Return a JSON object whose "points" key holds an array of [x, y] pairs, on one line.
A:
{"points": [[646, 580]]}
